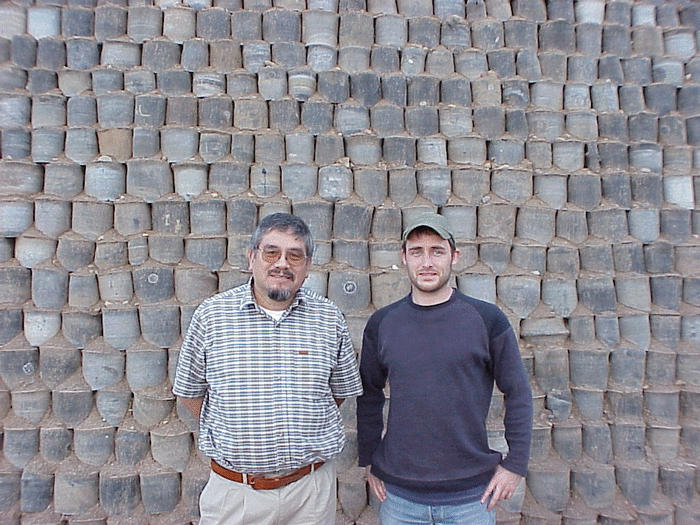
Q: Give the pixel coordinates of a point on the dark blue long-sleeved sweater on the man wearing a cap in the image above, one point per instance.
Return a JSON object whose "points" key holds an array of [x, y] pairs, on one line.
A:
{"points": [[441, 362]]}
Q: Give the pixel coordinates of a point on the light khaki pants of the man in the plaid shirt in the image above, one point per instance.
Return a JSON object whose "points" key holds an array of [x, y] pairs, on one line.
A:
{"points": [[308, 501]]}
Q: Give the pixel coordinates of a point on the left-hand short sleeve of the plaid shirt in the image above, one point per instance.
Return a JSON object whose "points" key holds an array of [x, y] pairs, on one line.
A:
{"points": [[190, 377]]}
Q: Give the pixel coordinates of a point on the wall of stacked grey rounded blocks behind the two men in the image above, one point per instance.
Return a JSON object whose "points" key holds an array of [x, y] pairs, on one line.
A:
{"points": [[141, 143]]}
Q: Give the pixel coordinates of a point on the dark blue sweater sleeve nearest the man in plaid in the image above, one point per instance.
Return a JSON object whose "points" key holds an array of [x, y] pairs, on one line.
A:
{"points": [[370, 404]]}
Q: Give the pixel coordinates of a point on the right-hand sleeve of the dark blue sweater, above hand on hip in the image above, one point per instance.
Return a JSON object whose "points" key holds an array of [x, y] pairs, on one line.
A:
{"points": [[512, 380]]}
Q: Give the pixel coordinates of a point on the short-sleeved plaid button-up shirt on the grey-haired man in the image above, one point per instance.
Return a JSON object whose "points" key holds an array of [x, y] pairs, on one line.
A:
{"points": [[268, 386]]}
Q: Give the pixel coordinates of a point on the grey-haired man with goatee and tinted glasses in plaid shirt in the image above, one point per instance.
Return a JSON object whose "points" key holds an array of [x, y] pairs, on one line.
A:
{"points": [[264, 367]]}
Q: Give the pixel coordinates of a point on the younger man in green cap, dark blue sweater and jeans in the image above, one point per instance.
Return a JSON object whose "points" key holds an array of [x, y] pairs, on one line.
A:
{"points": [[441, 352]]}
